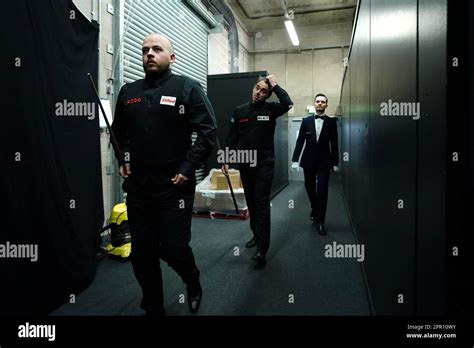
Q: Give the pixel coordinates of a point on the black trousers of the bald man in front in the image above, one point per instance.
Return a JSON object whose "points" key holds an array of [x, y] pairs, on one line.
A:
{"points": [[160, 224]]}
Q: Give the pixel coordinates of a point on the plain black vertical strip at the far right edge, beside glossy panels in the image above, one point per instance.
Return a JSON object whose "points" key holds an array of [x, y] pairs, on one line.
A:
{"points": [[459, 232]]}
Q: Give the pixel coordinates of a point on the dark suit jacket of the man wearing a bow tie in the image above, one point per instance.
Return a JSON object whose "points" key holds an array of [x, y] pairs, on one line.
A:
{"points": [[317, 154]]}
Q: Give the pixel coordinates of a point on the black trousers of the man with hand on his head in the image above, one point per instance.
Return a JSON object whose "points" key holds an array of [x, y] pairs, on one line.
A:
{"points": [[257, 182]]}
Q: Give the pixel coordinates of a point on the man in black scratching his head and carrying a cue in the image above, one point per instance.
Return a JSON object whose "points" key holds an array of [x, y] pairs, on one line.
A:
{"points": [[252, 128]]}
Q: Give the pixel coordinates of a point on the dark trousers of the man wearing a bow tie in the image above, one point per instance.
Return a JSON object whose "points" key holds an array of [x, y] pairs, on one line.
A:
{"points": [[316, 182]]}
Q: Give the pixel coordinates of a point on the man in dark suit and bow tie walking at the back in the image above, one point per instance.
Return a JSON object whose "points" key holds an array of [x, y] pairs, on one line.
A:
{"points": [[321, 153]]}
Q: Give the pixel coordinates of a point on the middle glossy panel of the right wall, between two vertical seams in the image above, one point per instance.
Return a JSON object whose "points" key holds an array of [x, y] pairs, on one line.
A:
{"points": [[393, 156]]}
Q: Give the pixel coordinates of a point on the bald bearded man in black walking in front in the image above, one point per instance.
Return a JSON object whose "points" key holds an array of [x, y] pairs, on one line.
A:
{"points": [[153, 123]]}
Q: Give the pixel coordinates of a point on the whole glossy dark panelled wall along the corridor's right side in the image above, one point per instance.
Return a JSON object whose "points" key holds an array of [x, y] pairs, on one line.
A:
{"points": [[395, 50]]}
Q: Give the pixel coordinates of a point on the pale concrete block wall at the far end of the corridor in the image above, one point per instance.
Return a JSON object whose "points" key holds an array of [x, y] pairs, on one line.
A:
{"points": [[316, 67]]}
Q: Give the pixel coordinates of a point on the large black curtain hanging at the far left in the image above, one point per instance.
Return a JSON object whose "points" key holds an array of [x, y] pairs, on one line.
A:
{"points": [[50, 155]]}
